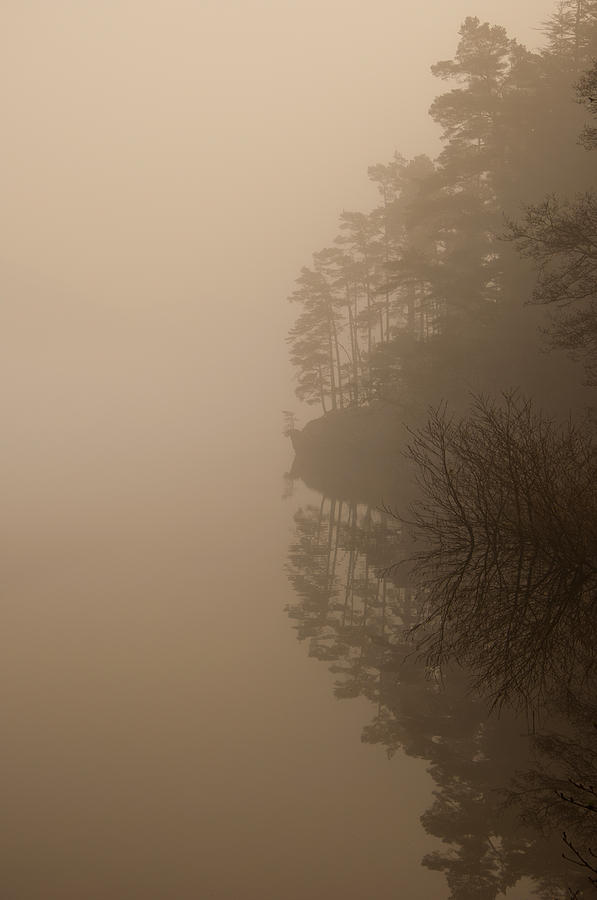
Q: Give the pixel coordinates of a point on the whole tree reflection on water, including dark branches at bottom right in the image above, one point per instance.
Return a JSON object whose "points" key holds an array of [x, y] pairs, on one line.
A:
{"points": [[506, 788]]}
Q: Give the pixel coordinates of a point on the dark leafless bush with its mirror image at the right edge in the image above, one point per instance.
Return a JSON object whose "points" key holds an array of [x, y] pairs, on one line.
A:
{"points": [[508, 517]]}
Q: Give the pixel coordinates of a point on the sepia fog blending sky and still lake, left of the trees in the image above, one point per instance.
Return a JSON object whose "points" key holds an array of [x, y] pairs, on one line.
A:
{"points": [[167, 168]]}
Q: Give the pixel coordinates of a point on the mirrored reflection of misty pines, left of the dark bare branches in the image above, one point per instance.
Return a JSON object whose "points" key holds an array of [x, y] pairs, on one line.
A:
{"points": [[356, 622]]}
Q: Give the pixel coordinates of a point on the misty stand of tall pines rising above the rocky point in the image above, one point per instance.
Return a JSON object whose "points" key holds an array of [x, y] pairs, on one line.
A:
{"points": [[424, 296]]}
